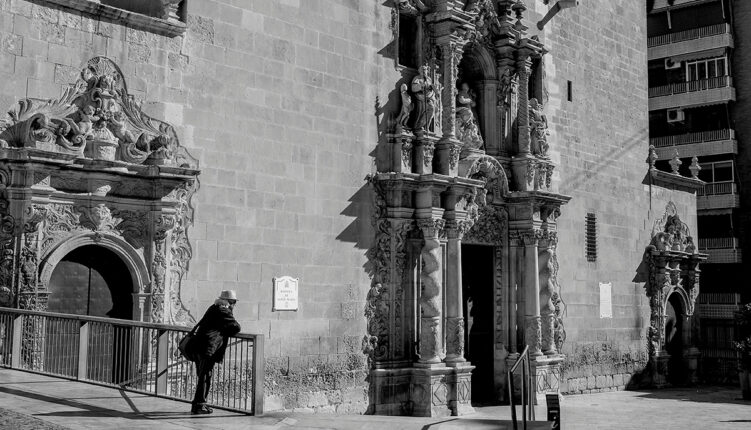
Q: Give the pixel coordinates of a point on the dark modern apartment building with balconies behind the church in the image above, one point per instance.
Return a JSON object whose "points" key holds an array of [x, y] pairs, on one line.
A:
{"points": [[695, 91]]}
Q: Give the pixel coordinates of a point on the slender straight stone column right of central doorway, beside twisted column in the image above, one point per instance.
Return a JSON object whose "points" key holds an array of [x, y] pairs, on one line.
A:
{"points": [[532, 323]]}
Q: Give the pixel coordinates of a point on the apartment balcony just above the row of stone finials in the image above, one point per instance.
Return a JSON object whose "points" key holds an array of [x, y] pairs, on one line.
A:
{"points": [[698, 144]]}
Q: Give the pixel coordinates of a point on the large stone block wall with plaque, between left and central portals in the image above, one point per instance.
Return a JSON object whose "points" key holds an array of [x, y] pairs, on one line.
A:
{"points": [[276, 98]]}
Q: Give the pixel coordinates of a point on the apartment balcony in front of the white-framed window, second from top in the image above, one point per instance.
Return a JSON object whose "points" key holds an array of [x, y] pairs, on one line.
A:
{"points": [[693, 93]]}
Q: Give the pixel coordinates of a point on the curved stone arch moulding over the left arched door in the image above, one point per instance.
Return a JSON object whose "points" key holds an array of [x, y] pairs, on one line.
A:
{"points": [[133, 261]]}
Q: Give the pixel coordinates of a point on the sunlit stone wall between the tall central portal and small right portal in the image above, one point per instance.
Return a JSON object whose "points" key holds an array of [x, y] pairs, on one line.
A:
{"points": [[600, 141]]}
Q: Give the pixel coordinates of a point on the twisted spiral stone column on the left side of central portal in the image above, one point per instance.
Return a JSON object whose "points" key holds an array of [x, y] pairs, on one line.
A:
{"points": [[431, 300]]}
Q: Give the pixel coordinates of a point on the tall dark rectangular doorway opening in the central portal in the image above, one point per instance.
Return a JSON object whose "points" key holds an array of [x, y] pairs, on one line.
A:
{"points": [[477, 290]]}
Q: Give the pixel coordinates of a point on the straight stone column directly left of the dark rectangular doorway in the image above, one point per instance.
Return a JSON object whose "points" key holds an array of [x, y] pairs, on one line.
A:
{"points": [[454, 299]]}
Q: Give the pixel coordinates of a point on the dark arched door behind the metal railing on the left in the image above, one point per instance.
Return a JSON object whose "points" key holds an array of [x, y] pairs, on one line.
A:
{"points": [[92, 280]]}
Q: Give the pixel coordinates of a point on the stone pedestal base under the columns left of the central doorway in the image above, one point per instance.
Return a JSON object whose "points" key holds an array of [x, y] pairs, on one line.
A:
{"points": [[424, 390]]}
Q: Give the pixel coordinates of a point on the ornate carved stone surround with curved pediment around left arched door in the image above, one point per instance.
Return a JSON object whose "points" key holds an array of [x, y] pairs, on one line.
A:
{"points": [[90, 168]]}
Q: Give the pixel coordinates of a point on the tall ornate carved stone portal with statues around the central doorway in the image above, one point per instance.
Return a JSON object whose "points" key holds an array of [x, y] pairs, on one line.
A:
{"points": [[467, 159]]}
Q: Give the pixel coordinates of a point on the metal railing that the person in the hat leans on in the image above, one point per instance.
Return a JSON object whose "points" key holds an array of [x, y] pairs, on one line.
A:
{"points": [[130, 355]]}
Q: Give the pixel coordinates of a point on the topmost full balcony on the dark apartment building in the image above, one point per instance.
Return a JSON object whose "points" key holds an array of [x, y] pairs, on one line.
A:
{"points": [[713, 37]]}
